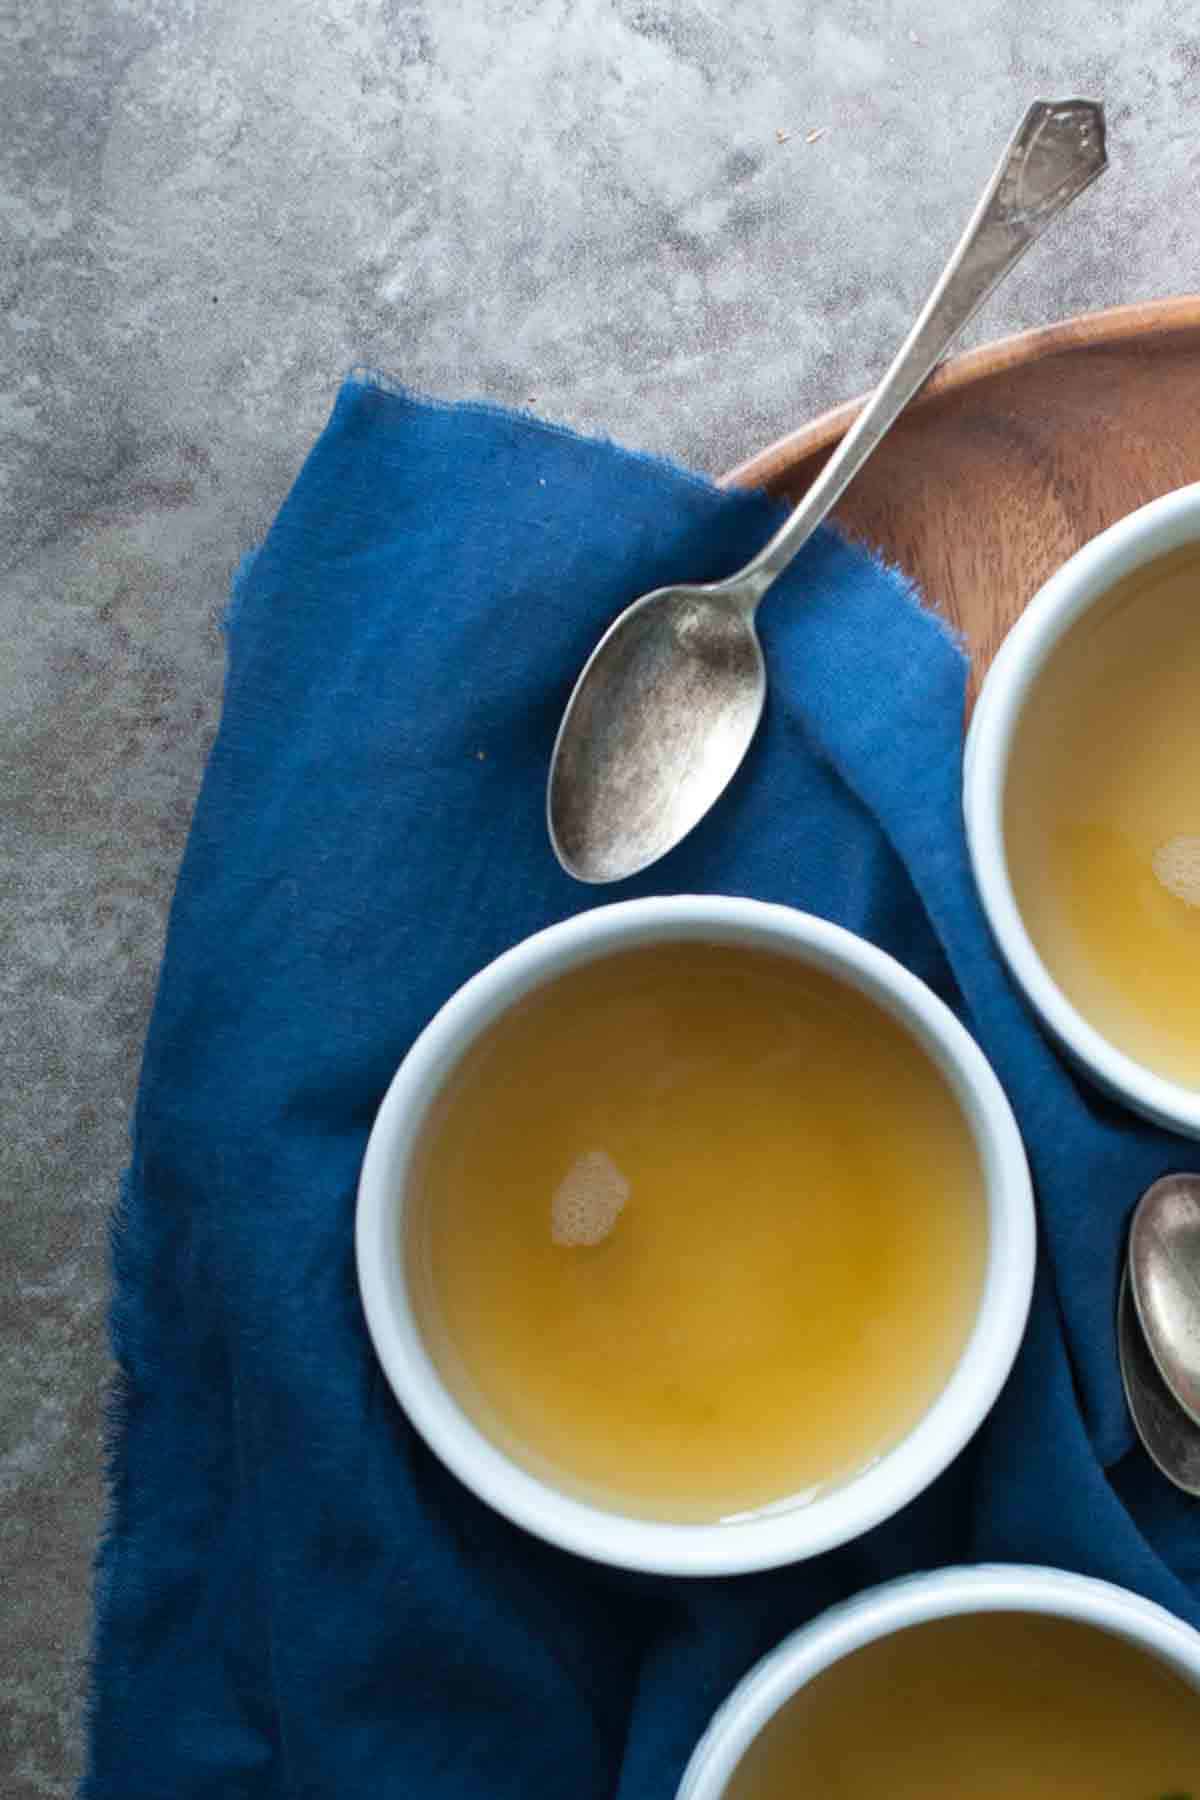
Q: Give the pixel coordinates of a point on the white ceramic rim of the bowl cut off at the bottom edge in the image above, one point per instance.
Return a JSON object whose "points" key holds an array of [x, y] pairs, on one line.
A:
{"points": [[915, 1601]]}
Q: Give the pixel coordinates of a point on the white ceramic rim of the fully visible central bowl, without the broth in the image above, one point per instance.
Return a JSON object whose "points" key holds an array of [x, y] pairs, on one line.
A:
{"points": [[782, 1533]]}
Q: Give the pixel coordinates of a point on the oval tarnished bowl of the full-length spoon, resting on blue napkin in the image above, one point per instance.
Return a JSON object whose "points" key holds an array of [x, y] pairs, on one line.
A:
{"points": [[658, 724]]}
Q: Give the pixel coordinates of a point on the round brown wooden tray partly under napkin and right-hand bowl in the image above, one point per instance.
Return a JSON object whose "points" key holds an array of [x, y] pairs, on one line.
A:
{"points": [[1014, 456]]}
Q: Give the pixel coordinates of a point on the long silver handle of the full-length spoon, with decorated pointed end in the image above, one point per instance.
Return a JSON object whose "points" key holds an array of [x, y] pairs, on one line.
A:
{"points": [[1057, 152]]}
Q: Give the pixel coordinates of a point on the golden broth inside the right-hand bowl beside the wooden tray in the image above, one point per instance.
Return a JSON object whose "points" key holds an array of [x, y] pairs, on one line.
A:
{"points": [[1104, 818]]}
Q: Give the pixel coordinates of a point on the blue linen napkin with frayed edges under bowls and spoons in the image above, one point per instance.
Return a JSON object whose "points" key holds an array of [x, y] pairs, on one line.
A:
{"points": [[294, 1597]]}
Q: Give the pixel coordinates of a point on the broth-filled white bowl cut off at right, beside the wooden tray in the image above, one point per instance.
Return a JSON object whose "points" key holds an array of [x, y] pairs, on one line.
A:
{"points": [[1082, 800]]}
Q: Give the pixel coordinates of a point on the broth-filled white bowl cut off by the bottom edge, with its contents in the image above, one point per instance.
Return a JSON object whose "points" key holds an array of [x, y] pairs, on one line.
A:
{"points": [[967, 1684]]}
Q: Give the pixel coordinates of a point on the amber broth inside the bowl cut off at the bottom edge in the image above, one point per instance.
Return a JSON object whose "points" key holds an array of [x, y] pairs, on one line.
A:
{"points": [[989, 1707]]}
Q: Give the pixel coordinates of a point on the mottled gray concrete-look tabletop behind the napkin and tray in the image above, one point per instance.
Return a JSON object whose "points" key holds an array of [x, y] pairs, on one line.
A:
{"points": [[208, 213]]}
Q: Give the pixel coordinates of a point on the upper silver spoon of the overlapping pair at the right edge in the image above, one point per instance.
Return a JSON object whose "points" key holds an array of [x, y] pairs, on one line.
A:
{"points": [[1165, 1277]]}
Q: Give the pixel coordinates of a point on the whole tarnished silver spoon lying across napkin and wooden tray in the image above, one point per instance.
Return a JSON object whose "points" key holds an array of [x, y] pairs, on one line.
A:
{"points": [[672, 696]]}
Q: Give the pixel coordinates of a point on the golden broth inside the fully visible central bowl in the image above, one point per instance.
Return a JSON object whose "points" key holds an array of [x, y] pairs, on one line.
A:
{"points": [[697, 1228]]}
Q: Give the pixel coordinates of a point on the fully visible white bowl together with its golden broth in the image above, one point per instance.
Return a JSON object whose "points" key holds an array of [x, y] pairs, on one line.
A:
{"points": [[695, 1236]]}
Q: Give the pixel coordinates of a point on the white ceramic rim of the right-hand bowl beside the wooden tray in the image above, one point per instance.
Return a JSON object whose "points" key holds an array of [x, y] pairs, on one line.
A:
{"points": [[1131, 544]]}
